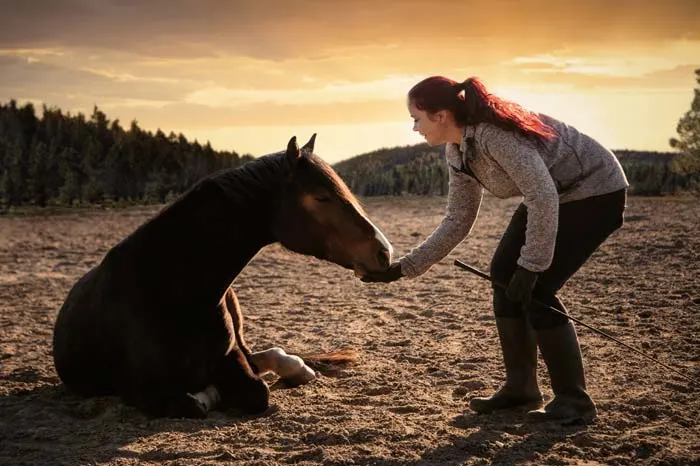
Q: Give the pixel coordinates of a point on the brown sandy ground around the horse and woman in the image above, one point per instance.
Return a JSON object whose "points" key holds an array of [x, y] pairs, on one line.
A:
{"points": [[425, 347]]}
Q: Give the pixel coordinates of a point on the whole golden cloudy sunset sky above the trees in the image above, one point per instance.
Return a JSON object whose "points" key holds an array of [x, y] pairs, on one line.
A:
{"points": [[246, 75]]}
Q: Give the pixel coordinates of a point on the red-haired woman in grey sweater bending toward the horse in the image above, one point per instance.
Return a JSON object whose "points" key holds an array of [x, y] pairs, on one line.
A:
{"points": [[574, 193]]}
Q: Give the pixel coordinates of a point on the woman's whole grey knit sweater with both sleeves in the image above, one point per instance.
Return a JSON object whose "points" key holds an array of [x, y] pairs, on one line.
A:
{"points": [[571, 167]]}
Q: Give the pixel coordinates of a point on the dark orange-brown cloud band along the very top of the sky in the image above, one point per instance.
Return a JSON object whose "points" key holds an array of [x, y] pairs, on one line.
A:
{"points": [[279, 30]]}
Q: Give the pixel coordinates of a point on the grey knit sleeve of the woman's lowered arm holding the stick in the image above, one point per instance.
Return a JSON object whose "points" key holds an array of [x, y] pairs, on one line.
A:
{"points": [[524, 165]]}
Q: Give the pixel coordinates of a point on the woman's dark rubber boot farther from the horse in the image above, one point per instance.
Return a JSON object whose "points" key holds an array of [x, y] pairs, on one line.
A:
{"points": [[562, 355]]}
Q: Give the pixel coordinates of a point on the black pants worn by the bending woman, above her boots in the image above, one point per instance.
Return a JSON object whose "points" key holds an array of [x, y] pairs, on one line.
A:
{"points": [[583, 226]]}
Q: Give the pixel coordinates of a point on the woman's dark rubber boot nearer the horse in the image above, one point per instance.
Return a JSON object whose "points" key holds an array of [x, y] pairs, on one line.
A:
{"points": [[520, 359]]}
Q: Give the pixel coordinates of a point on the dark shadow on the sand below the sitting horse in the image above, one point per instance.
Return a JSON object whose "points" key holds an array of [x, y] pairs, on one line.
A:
{"points": [[48, 425]]}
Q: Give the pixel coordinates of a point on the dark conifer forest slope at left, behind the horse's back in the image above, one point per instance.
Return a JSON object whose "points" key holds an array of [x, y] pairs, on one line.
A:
{"points": [[64, 159]]}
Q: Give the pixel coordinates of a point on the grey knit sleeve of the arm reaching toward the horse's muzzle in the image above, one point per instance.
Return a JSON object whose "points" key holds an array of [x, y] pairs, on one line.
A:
{"points": [[463, 202]]}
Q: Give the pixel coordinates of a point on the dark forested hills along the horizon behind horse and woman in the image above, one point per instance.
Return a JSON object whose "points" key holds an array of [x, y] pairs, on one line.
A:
{"points": [[63, 159]]}
